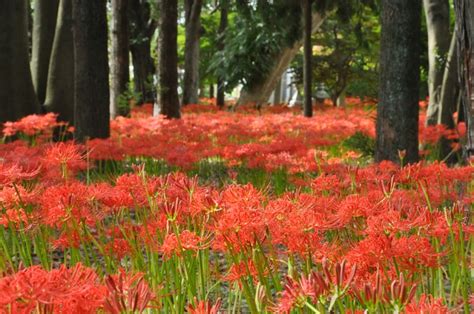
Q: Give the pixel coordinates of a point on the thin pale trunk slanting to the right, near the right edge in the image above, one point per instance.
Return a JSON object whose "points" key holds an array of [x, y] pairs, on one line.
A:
{"points": [[449, 96]]}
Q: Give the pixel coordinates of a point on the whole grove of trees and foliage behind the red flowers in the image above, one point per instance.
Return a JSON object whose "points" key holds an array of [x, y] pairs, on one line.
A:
{"points": [[90, 61]]}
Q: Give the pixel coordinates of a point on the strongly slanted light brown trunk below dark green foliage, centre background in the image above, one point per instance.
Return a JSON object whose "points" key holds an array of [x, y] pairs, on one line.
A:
{"points": [[260, 93]]}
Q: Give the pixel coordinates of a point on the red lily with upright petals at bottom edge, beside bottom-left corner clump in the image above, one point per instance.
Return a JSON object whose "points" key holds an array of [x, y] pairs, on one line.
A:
{"points": [[127, 293]]}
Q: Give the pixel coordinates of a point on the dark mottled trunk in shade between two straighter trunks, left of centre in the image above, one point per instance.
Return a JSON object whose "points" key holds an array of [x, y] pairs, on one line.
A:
{"points": [[142, 27]]}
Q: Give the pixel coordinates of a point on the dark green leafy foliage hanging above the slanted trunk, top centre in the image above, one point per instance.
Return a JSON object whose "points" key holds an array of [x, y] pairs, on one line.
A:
{"points": [[253, 39]]}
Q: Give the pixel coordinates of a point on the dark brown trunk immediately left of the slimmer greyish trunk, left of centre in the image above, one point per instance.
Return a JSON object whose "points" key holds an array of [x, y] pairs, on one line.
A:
{"points": [[168, 59]]}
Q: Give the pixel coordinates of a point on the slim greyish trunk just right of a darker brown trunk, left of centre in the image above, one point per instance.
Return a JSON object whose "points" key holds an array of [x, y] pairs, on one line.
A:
{"points": [[192, 10]]}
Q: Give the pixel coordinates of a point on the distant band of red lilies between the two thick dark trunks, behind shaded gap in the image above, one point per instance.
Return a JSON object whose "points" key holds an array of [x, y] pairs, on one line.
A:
{"points": [[277, 138]]}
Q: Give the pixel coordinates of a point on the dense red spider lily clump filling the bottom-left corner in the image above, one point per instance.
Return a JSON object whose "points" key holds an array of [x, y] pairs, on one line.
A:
{"points": [[74, 290]]}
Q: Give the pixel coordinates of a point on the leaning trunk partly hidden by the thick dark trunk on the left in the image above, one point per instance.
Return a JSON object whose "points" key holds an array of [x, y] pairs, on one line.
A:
{"points": [[60, 90]]}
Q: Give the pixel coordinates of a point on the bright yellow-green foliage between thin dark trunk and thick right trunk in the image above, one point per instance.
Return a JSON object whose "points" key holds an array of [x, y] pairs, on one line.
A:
{"points": [[346, 55]]}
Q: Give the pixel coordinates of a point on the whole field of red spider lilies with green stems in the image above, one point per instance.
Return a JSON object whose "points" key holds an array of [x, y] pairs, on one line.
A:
{"points": [[251, 212]]}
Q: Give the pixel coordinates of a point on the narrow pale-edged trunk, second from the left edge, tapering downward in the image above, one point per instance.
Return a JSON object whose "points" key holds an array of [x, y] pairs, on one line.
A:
{"points": [[44, 25]]}
